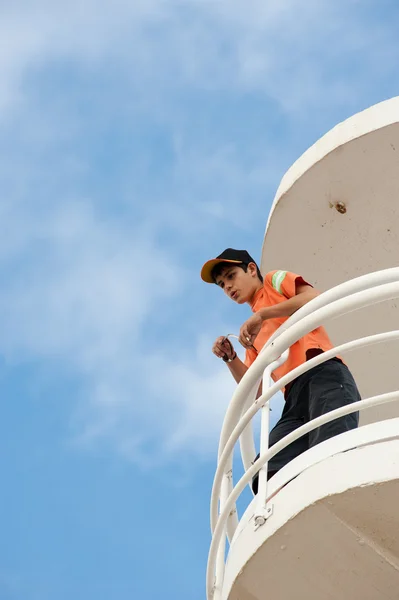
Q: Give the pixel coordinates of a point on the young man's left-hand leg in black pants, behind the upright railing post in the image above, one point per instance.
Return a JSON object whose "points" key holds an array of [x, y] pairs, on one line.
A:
{"points": [[282, 428]]}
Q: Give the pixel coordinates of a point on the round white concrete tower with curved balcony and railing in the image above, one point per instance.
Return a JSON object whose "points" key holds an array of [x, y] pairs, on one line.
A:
{"points": [[327, 525]]}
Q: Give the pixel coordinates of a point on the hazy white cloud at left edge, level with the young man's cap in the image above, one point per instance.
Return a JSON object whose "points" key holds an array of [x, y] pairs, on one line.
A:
{"points": [[84, 288]]}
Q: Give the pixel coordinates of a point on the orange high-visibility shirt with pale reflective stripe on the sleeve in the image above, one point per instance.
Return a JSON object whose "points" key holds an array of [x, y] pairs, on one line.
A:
{"points": [[279, 286]]}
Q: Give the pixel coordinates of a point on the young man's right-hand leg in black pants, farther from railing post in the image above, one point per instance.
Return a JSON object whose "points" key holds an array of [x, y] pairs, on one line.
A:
{"points": [[331, 387]]}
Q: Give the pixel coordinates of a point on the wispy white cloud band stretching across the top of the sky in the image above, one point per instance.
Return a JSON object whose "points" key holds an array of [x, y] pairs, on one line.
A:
{"points": [[287, 50]]}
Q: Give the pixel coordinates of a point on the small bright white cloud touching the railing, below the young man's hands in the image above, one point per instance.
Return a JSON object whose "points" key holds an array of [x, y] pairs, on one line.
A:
{"points": [[178, 410]]}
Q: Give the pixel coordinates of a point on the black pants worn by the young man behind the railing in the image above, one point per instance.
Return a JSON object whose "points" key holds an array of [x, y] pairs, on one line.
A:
{"points": [[322, 389]]}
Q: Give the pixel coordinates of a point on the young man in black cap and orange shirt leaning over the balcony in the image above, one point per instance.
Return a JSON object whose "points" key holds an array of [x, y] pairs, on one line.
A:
{"points": [[272, 300]]}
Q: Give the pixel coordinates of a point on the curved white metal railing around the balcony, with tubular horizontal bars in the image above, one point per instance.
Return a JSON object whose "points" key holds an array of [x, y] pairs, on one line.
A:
{"points": [[347, 297]]}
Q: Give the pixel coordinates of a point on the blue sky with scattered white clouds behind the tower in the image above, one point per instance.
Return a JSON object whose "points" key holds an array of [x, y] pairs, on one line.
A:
{"points": [[137, 140]]}
